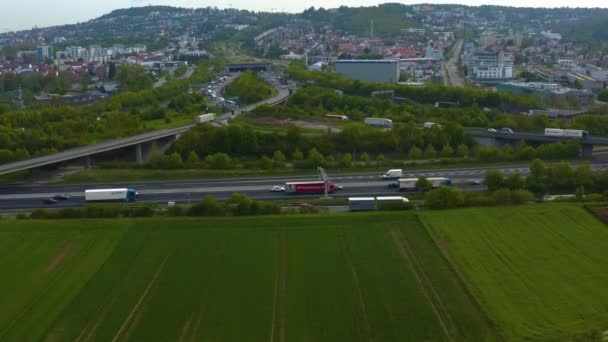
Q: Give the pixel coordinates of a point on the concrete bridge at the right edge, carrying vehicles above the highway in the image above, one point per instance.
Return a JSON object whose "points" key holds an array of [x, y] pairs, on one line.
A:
{"points": [[486, 138]]}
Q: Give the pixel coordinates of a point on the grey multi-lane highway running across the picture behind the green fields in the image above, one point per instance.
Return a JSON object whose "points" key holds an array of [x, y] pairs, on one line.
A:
{"points": [[17, 197]]}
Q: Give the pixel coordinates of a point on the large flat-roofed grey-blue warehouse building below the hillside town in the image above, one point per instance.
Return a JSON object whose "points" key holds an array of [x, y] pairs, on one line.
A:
{"points": [[380, 70]]}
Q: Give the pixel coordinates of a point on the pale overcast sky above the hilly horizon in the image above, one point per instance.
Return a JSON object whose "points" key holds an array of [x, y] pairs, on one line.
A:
{"points": [[25, 14]]}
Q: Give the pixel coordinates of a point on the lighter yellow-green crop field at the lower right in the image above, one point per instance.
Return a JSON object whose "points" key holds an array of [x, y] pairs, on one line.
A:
{"points": [[540, 272]]}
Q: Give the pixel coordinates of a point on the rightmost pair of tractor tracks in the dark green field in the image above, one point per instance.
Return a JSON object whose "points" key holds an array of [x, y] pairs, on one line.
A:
{"points": [[423, 282]]}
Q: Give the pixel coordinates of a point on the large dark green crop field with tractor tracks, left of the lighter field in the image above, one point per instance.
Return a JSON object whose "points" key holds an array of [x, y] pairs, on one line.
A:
{"points": [[363, 277]]}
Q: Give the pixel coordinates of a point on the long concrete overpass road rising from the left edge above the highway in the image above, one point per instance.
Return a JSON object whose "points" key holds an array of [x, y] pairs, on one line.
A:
{"points": [[141, 143]]}
